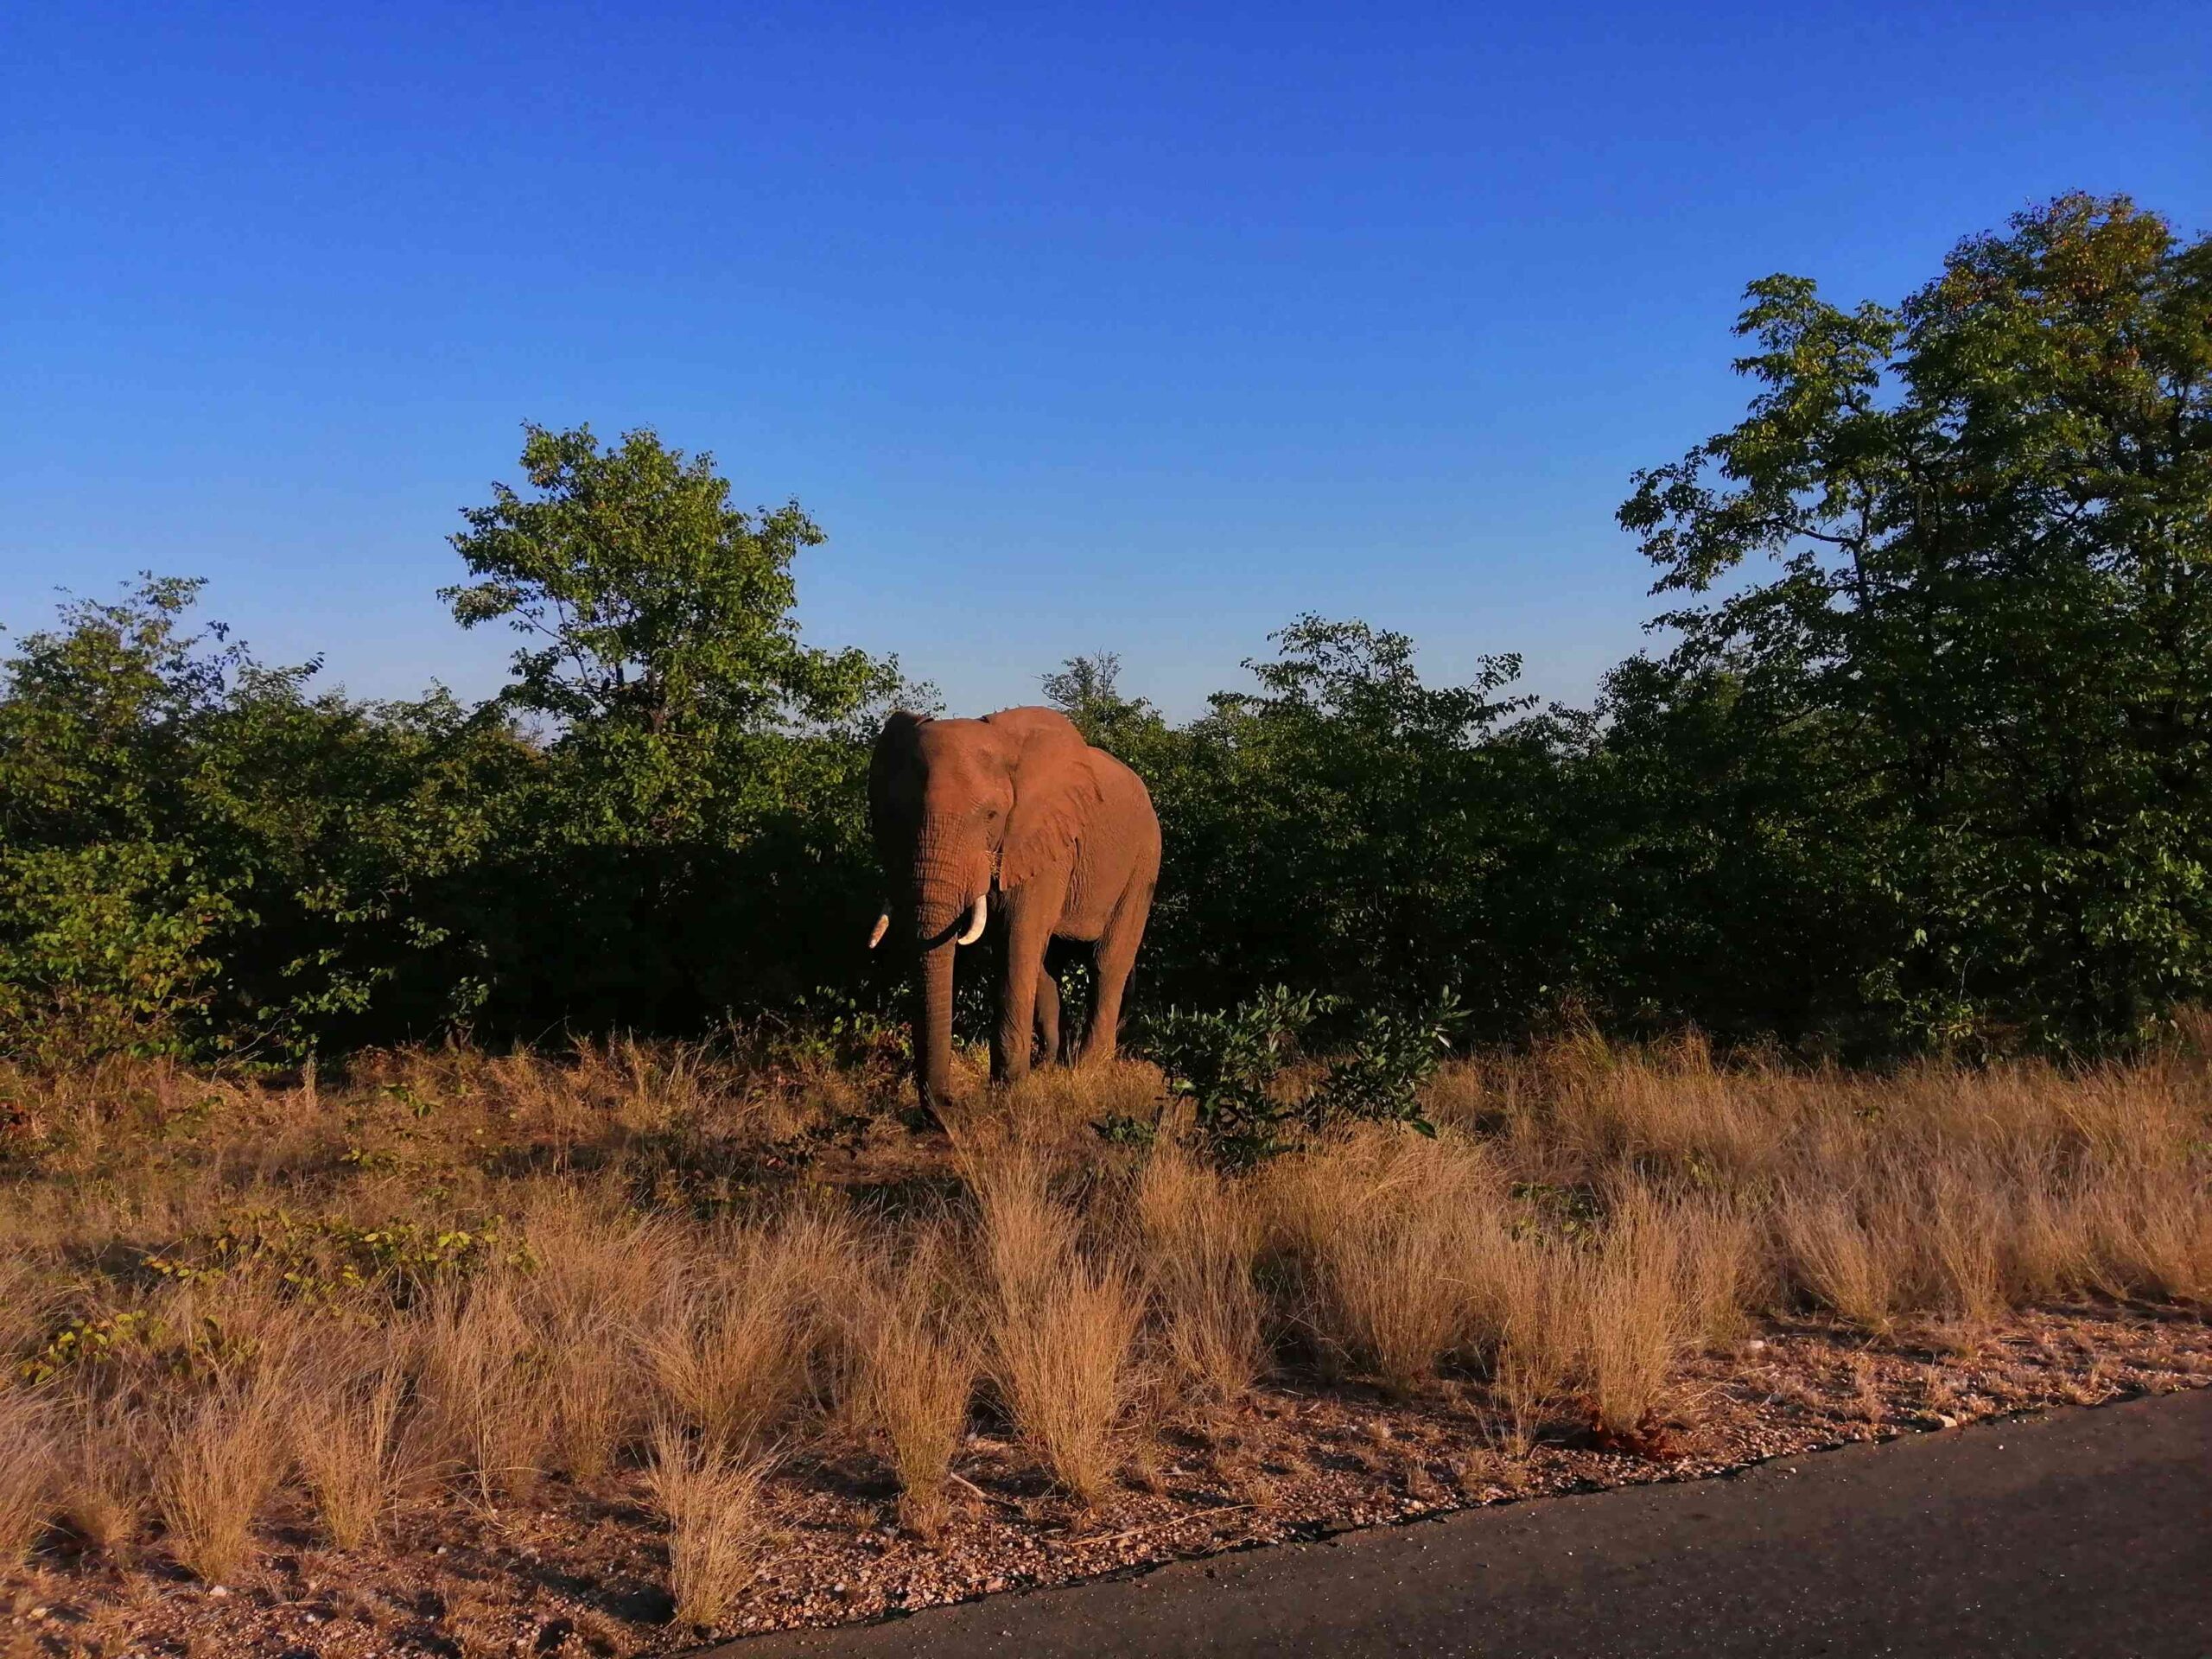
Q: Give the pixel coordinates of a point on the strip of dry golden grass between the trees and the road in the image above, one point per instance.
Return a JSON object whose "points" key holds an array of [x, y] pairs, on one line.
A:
{"points": [[645, 1266]]}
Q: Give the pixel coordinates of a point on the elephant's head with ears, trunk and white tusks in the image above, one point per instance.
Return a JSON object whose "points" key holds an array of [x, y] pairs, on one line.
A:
{"points": [[963, 808]]}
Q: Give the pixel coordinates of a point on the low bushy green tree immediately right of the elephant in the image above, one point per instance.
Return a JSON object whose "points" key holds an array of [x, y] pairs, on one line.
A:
{"points": [[1348, 828]]}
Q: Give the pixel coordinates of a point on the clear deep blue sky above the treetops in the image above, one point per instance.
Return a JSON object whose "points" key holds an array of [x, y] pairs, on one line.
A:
{"points": [[1087, 328]]}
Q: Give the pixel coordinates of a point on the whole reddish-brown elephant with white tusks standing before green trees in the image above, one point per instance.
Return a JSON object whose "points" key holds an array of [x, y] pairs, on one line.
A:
{"points": [[1010, 820]]}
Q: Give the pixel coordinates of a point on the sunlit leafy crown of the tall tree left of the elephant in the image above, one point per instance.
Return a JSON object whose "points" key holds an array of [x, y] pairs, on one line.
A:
{"points": [[665, 647]]}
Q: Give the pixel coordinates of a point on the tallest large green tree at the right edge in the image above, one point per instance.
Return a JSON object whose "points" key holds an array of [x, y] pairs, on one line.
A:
{"points": [[1990, 510]]}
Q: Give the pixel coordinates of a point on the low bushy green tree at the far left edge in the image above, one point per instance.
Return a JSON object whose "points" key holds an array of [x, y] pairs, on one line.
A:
{"points": [[200, 857]]}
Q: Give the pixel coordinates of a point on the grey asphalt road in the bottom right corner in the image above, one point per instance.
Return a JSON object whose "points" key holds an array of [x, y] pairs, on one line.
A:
{"points": [[2074, 1534]]}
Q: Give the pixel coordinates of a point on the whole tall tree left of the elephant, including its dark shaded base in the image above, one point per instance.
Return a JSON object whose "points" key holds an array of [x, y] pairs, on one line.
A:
{"points": [[700, 820]]}
